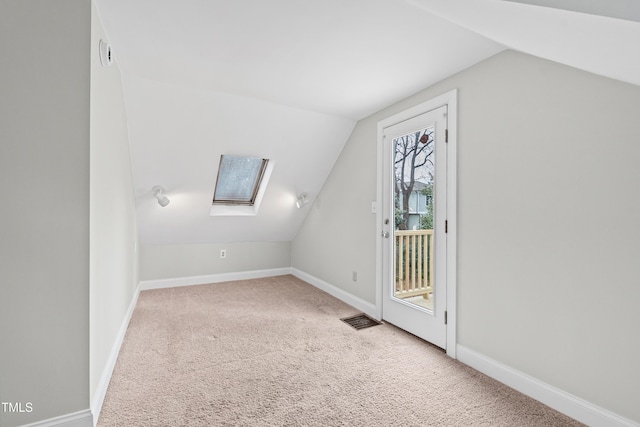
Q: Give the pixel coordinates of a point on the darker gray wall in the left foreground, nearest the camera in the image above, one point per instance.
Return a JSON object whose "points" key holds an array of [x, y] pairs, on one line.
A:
{"points": [[44, 227]]}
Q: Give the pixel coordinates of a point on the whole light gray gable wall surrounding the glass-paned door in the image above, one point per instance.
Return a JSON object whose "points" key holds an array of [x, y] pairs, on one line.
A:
{"points": [[547, 223]]}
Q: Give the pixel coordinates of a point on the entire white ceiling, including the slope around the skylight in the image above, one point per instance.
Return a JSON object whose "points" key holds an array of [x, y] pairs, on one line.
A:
{"points": [[288, 79]]}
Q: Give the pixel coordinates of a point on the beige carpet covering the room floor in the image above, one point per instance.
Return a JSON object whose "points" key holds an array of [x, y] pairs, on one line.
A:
{"points": [[273, 352]]}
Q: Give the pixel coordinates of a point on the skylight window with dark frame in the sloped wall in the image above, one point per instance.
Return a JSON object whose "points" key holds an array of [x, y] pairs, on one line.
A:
{"points": [[239, 179]]}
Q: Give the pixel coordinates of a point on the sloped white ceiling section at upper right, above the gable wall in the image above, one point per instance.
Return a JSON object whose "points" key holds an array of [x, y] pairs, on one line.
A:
{"points": [[597, 44]]}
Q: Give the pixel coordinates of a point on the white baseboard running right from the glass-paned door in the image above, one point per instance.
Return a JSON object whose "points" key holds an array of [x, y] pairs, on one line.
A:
{"points": [[551, 396]]}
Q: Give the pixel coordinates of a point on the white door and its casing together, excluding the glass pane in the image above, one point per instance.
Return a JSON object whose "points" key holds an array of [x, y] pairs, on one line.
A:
{"points": [[436, 325]]}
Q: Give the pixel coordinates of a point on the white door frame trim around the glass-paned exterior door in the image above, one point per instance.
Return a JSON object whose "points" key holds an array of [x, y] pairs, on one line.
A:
{"points": [[450, 100]]}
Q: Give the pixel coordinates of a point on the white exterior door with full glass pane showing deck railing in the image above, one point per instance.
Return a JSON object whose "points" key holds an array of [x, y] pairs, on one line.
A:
{"points": [[414, 214]]}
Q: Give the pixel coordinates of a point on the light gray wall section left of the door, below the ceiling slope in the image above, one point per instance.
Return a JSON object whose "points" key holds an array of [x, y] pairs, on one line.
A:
{"points": [[338, 236]]}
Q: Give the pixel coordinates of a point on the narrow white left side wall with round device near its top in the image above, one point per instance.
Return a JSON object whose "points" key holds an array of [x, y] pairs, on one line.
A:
{"points": [[113, 247]]}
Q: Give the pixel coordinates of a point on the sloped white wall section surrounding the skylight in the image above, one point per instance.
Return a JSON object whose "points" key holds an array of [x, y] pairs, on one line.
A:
{"points": [[178, 134]]}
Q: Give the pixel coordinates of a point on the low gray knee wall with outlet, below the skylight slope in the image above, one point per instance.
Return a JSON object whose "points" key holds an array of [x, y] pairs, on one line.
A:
{"points": [[175, 261]]}
